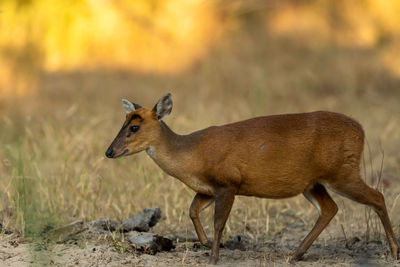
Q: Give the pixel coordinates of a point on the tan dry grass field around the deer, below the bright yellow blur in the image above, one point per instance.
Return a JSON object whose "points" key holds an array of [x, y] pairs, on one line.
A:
{"points": [[53, 168]]}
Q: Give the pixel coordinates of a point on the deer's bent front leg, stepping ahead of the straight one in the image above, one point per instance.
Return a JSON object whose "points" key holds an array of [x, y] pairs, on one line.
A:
{"points": [[199, 203]]}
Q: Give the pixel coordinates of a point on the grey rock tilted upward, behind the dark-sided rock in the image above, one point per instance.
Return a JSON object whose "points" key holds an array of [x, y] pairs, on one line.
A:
{"points": [[142, 222]]}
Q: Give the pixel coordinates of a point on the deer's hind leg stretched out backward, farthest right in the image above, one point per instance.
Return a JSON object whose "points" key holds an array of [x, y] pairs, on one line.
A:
{"points": [[353, 187]]}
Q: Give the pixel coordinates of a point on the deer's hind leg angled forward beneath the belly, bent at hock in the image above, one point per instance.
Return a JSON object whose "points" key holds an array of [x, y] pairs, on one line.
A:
{"points": [[327, 209]]}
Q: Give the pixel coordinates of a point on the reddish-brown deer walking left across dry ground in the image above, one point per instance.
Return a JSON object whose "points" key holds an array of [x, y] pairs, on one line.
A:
{"points": [[276, 157]]}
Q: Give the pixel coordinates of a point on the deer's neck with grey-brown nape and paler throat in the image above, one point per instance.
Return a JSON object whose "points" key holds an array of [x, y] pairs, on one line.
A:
{"points": [[174, 153]]}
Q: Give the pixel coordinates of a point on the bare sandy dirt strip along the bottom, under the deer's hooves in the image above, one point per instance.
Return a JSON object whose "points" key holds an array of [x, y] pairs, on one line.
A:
{"points": [[89, 250]]}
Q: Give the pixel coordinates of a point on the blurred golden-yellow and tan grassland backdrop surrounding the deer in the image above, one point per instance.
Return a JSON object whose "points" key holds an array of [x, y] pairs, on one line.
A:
{"points": [[66, 64]]}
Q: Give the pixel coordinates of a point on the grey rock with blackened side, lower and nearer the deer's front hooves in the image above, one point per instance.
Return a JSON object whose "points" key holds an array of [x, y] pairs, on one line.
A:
{"points": [[150, 243]]}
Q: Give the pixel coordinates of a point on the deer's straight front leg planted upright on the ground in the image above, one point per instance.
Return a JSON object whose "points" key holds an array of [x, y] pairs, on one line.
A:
{"points": [[223, 203]]}
